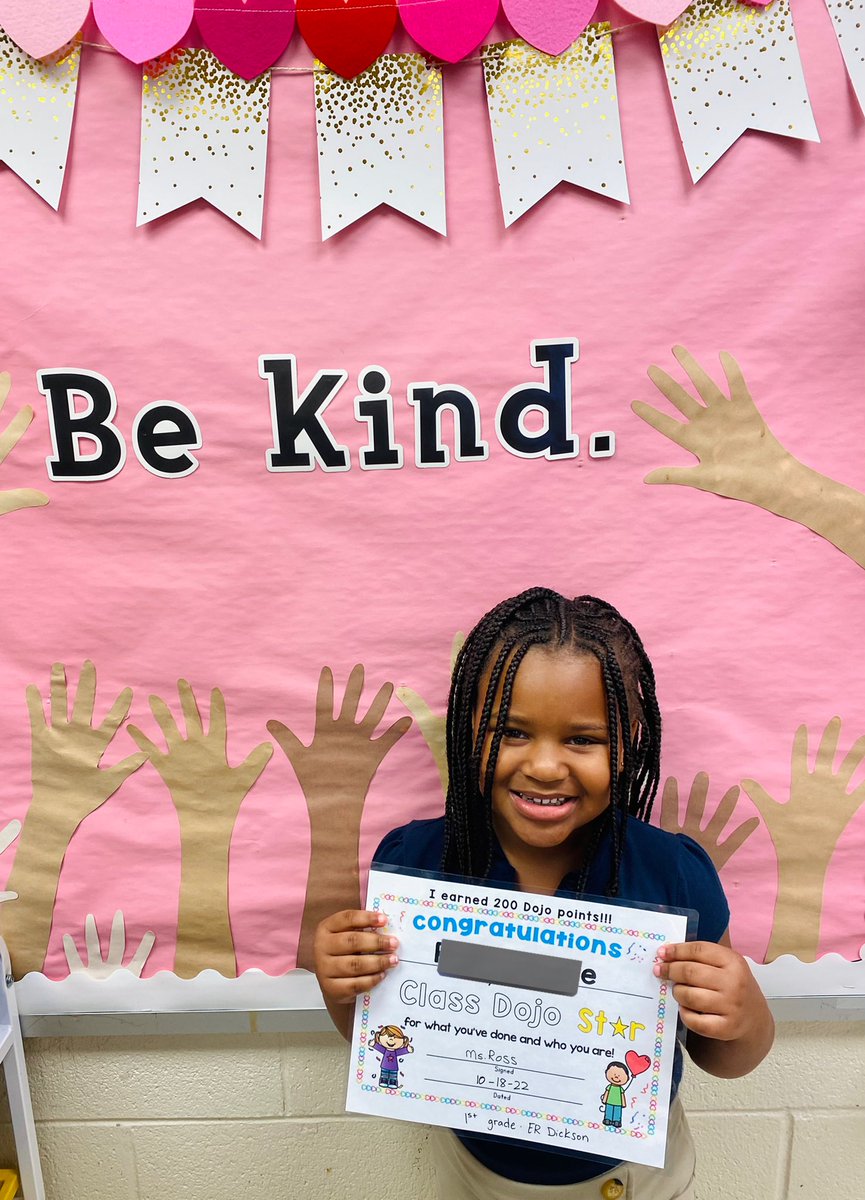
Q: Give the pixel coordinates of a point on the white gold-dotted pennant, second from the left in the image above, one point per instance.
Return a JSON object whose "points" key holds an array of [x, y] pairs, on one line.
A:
{"points": [[205, 136]]}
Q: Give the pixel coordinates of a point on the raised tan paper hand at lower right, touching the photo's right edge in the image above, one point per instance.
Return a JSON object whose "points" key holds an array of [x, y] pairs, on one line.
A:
{"points": [[806, 831]]}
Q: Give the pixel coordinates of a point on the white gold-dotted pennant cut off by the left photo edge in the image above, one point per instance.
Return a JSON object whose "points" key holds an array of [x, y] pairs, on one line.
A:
{"points": [[38, 103]]}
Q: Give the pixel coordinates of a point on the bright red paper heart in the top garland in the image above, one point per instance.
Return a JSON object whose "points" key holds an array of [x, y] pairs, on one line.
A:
{"points": [[347, 35]]}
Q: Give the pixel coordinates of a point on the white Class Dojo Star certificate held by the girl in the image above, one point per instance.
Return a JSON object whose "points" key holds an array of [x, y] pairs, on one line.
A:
{"points": [[525, 1016]]}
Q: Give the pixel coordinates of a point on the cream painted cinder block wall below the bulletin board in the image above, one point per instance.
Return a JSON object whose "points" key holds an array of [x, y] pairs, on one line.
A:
{"points": [[261, 1118]]}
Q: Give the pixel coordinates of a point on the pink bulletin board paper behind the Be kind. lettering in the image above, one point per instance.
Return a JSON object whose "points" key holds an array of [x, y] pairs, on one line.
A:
{"points": [[251, 581]]}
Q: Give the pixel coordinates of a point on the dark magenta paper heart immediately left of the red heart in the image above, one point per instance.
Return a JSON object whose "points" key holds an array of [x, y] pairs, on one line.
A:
{"points": [[248, 35]]}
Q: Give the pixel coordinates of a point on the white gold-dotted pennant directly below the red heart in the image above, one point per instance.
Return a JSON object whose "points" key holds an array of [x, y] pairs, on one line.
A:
{"points": [[381, 142]]}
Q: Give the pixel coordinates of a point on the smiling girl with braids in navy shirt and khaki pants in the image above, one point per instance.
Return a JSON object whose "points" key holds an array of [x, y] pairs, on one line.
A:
{"points": [[554, 752]]}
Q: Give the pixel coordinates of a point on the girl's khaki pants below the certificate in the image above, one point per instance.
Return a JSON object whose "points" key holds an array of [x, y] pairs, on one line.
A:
{"points": [[460, 1177]]}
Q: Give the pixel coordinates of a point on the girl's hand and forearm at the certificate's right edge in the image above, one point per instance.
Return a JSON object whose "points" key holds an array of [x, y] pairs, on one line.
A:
{"points": [[720, 1004]]}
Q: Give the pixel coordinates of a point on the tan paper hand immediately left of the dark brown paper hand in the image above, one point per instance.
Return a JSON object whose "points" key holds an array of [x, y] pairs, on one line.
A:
{"points": [[207, 795]]}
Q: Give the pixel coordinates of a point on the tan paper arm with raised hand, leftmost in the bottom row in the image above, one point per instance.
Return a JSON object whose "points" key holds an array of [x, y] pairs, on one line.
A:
{"points": [[69, 785]]}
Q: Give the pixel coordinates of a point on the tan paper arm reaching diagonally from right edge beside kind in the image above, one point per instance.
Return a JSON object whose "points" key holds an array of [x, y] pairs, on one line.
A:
{"points": [[741, 458]]}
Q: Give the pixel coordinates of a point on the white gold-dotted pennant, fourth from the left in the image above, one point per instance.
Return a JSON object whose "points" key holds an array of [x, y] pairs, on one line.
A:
{"points": [[555, 119]]}
